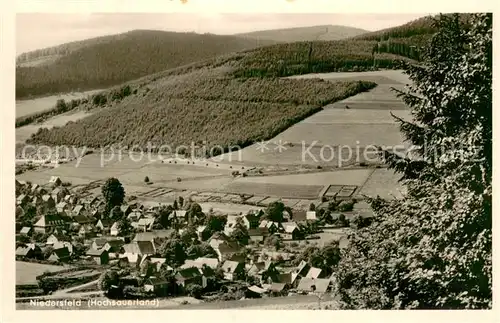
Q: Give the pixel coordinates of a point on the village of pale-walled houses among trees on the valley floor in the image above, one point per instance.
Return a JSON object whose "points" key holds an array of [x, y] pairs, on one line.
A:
{"points": [[113, 245]]}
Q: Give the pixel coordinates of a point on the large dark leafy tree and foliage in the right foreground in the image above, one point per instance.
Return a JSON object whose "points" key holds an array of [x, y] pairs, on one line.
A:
{"points": [[432, 248]]}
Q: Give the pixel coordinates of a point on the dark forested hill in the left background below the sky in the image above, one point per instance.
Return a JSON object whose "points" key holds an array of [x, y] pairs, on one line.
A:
{"points": [[109, 61]]}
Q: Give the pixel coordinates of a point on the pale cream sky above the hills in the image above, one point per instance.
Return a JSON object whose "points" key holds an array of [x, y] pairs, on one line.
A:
{"points": [[40, 30]]}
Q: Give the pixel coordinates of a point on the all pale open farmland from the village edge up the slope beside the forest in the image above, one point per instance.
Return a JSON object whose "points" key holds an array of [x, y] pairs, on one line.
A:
{"points": [[368, 121]]}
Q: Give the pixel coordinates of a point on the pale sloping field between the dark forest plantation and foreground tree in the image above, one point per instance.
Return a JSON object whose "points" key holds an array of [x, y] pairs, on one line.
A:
{"points": [[367, 122]]}
